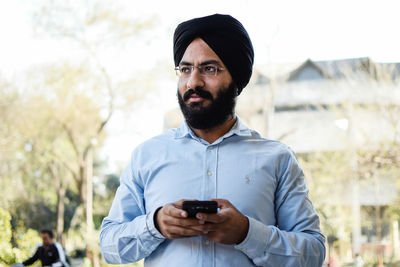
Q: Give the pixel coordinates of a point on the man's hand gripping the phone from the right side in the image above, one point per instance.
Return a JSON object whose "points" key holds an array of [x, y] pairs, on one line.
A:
{"points": [[228, 226]]}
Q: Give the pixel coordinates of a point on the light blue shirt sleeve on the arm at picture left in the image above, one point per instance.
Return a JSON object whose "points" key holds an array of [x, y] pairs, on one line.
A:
{"points": [[128, 233]]}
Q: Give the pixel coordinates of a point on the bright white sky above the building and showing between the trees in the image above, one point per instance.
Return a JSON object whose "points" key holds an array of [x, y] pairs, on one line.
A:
{"points": [[281, 31]]}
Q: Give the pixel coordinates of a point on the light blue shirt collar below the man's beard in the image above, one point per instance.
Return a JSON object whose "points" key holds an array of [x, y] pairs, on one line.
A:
{"points": [[239, 128]]}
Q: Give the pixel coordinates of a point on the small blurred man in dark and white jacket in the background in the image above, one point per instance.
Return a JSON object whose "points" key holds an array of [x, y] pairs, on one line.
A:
{"points": [[49, 253]]}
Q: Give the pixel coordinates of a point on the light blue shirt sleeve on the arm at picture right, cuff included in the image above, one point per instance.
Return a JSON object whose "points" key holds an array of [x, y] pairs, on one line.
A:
{"points": [[296, 240]]}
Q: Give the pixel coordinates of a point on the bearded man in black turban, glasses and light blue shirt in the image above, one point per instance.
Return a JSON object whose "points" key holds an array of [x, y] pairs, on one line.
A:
{"points": [[265, 217]]}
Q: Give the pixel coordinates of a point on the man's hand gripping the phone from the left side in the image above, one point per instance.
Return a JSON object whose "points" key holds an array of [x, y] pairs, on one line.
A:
{"points": [[173, 221]]}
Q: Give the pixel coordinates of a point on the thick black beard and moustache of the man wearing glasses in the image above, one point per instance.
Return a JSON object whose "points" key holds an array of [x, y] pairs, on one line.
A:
{"points": [[215, 113]]}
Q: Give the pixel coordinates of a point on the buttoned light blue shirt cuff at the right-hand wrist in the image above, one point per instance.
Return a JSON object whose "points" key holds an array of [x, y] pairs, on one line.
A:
{"points": [[255, 242]]}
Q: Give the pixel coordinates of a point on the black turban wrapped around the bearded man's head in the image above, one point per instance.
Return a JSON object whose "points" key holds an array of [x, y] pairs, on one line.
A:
{"points": [[227, 38]]}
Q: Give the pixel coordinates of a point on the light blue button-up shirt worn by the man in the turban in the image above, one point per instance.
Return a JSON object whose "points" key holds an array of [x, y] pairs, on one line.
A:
{"points": [[260, 177]]}
